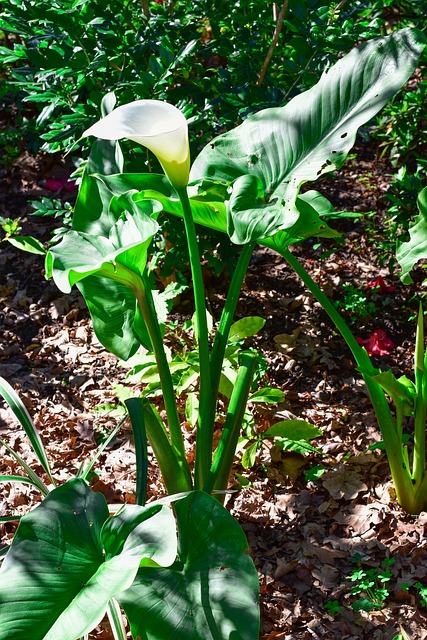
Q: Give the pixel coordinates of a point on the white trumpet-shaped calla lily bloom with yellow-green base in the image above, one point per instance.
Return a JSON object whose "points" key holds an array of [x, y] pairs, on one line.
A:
{"points": [[157, 125]]}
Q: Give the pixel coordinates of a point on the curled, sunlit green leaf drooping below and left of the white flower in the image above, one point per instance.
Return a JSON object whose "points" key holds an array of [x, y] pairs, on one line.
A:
{"points": [[109, 270]]}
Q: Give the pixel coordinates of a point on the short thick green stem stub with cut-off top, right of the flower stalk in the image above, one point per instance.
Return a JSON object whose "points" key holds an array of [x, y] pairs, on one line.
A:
{"points": [[226, 449]]}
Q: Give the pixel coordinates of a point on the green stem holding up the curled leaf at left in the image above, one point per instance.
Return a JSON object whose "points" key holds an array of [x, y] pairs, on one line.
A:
{"points": [[146, 306]]}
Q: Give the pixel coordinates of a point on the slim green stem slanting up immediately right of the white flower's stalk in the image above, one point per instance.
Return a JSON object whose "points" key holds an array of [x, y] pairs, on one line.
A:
{"points": [[227, 316]]}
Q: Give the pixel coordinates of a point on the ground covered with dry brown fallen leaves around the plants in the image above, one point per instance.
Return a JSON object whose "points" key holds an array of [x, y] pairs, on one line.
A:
{"points": [[305, 536]]}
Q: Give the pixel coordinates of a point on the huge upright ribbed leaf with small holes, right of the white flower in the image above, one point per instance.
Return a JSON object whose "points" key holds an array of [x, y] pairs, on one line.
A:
{"points": [[268, 157]]}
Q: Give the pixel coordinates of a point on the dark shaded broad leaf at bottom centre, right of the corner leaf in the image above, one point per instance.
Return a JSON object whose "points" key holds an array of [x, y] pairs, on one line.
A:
{"points": [[210, 593]]}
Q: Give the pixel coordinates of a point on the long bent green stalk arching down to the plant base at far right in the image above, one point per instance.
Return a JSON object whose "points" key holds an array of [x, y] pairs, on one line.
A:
{"points": [[399, 470]]}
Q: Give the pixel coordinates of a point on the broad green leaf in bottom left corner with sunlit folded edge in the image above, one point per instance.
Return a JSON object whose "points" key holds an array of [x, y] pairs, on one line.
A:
{"points": [[68, 559]]}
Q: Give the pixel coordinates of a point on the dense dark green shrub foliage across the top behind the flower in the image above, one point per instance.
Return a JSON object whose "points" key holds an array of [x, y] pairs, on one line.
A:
{"points": [[62, 58]]}
